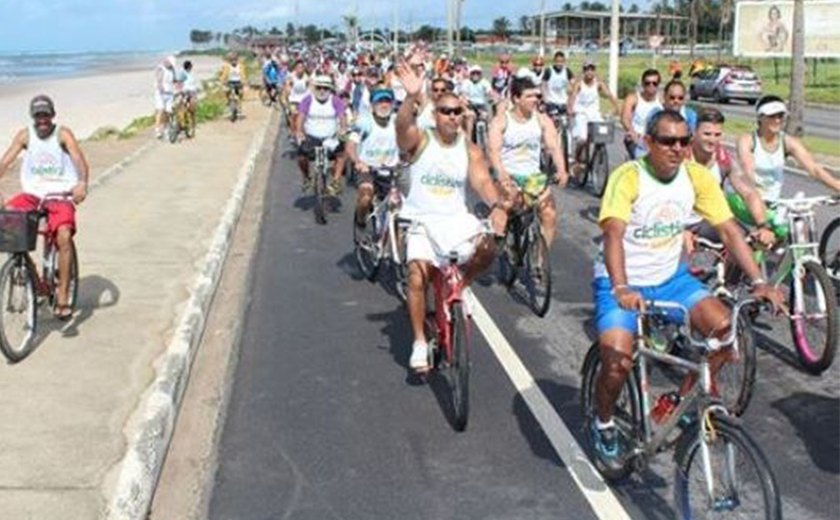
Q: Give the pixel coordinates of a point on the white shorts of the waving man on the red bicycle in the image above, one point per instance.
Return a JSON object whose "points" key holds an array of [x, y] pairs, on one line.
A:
{"points": [[450, 233]]}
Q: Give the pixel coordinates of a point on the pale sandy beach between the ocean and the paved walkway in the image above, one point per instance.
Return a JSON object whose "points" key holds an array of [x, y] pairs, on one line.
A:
{"points": [[94, 100]]}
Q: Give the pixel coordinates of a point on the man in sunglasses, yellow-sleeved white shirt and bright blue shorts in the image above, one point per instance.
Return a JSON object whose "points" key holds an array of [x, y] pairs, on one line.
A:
{"points": [[643, 214]]}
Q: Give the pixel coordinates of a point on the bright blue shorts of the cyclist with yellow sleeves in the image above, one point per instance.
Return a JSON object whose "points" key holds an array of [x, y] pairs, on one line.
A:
{"points": [[681, 288]]}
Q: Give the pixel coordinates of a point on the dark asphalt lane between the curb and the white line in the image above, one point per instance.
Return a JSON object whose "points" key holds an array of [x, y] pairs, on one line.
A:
{"points": [[323, 421]]}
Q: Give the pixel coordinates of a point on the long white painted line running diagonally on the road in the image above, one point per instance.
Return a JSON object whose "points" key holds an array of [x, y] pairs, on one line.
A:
{"points": [[601, 498]]}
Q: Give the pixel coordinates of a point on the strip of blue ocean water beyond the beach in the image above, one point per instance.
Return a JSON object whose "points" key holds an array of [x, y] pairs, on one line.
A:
{"points": [[25, 66]]}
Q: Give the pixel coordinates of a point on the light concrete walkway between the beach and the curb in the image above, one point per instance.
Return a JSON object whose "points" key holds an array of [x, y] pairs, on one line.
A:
{"points": [[67, 408]]}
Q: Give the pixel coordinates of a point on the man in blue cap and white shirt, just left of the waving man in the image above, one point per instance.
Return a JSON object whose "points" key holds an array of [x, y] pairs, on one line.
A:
{"points": [[373, 143]]}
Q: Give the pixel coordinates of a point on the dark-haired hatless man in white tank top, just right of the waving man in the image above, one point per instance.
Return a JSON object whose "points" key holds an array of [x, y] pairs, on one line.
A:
{"points": [[515, 148]]}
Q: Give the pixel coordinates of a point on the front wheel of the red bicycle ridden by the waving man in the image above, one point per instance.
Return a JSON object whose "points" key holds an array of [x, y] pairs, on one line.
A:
{"points": [[459, 366]]}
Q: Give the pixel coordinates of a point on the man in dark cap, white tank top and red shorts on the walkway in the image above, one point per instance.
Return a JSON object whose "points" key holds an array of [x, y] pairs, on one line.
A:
{"points": [[53, 163]]}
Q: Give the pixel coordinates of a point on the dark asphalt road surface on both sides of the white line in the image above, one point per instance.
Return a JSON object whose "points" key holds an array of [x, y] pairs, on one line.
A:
{"points": [[324, 421]]}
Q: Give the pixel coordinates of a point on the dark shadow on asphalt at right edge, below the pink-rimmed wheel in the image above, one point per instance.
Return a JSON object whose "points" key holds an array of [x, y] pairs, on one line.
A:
{"points": [[817, 421]]}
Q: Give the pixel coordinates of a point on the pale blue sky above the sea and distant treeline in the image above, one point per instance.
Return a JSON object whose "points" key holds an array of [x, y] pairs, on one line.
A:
{"points": [[116, 25]]}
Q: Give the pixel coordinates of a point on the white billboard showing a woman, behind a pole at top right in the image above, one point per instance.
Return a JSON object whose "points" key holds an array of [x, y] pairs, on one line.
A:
{"points": [[764, 28]]}
